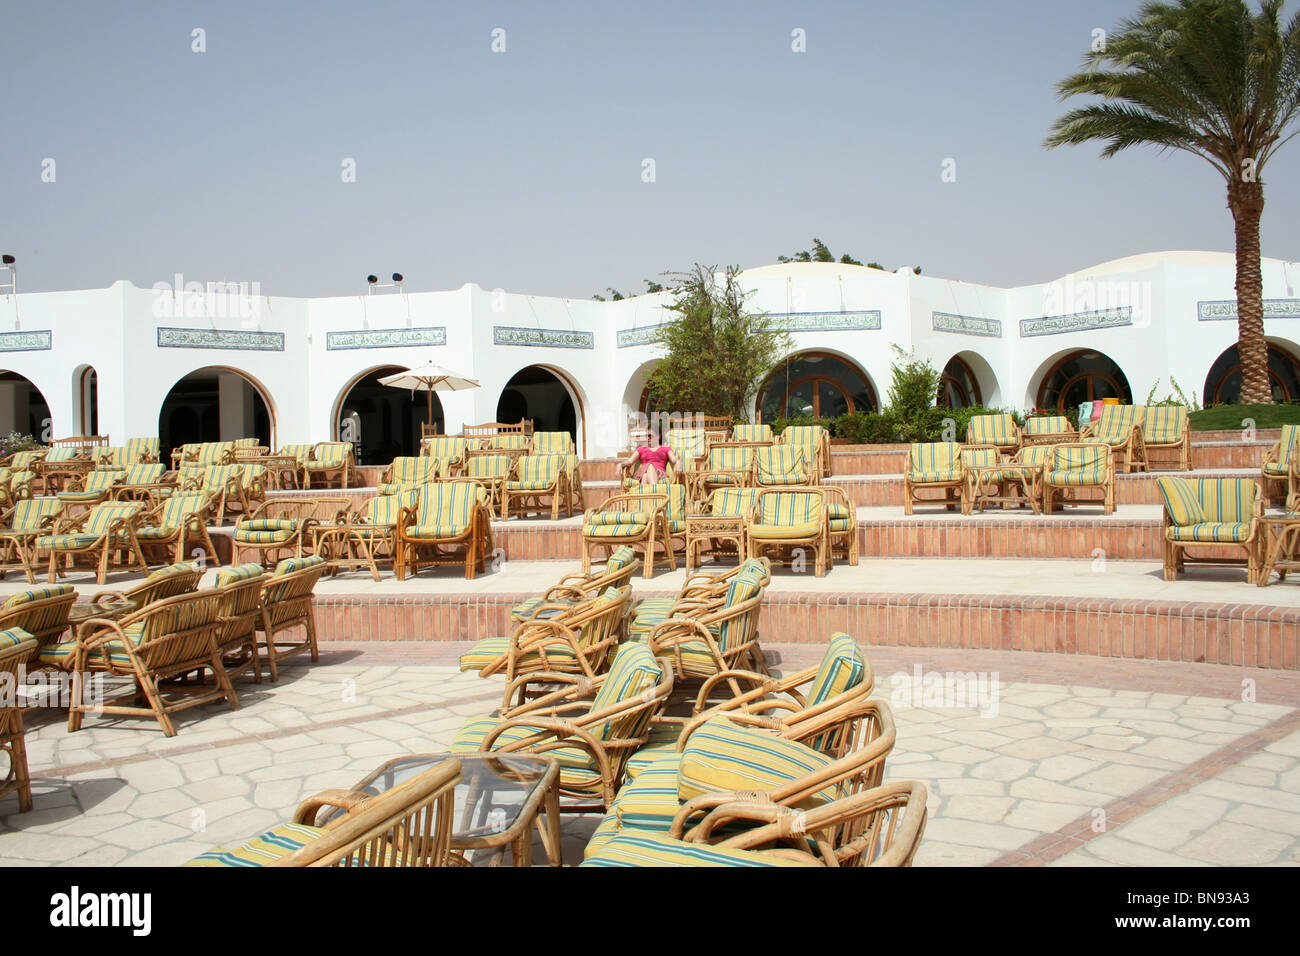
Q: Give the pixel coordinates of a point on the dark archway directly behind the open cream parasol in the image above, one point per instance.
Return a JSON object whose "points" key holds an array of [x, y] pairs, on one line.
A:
{"points": [[383, 422]]}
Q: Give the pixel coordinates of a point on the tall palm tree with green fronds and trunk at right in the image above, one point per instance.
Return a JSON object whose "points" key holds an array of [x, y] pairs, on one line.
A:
{"points": [[1214, 79]]}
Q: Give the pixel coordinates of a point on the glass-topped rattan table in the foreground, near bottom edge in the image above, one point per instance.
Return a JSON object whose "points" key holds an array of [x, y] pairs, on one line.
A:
{"points": [[497, 802]]}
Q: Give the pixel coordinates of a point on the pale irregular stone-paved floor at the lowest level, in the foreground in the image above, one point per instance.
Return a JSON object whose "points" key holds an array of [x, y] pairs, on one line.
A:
{"points": [[1085, 762]]}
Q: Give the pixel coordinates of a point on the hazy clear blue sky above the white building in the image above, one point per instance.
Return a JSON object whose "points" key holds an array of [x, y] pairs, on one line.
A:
{"points": [[523, 170]]}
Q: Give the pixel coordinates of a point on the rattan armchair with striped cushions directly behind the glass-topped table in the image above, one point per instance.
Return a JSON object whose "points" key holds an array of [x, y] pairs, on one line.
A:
{"points": [[590, 725]]}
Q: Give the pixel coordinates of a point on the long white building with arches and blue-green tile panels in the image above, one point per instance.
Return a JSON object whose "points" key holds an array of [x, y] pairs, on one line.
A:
{"points": [[189, 362]]}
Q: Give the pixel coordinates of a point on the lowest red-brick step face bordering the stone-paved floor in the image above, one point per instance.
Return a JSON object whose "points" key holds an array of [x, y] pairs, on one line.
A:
{"points": [[1237, 634]]}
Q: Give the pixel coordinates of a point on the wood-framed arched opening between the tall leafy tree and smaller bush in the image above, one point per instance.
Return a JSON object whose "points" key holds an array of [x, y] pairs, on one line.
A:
{"points": [[816, 384]]}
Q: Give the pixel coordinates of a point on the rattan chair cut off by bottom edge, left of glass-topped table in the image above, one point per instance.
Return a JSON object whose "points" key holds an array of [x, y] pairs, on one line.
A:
{"points": [[408, 827]]}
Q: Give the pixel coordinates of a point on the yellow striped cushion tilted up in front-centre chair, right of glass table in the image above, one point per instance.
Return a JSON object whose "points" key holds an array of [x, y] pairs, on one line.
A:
{"points": [[722, 756]]}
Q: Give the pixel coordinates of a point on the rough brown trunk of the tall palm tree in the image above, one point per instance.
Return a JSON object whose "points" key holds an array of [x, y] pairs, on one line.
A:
{"points": [[1246, 201]]}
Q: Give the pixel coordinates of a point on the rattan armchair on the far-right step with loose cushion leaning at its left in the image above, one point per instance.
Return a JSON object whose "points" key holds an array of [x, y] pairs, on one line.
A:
{"points": [[1219, 516]]}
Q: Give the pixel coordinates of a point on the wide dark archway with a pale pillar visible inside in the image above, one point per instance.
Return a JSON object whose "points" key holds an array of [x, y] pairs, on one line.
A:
{"points": [[215, 404]]}
